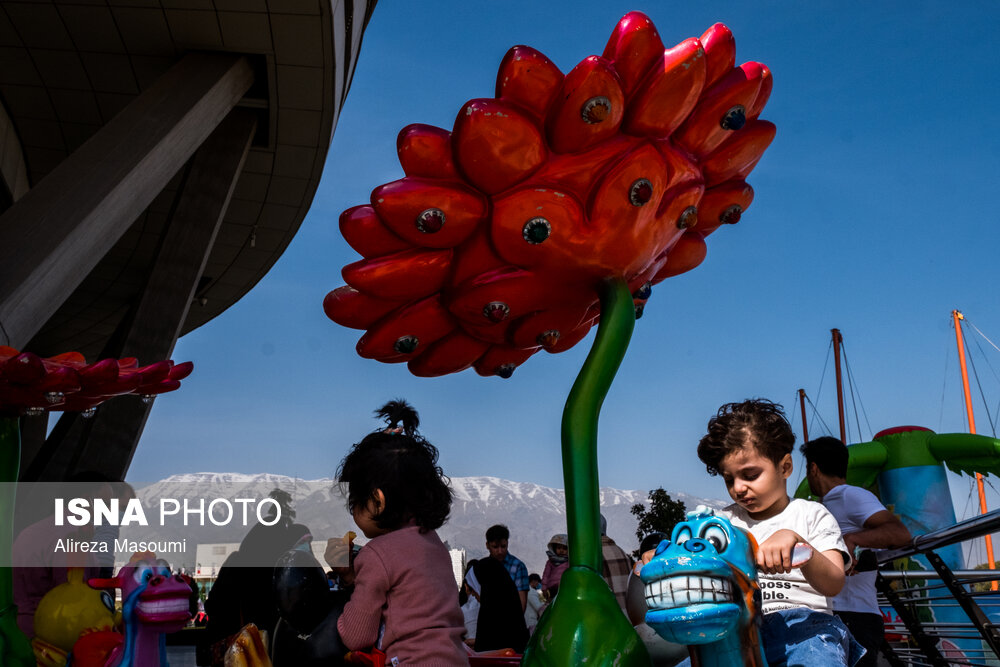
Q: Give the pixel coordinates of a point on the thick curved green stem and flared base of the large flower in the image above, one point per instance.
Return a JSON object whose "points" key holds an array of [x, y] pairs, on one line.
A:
{"points": [[584, 624]]}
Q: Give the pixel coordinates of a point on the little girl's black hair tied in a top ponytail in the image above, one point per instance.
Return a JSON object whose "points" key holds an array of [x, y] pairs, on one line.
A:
{"points": [[401, 464]]}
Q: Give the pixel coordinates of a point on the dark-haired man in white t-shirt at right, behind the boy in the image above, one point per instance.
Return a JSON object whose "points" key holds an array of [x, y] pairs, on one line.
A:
{"points": [[865, 523]]}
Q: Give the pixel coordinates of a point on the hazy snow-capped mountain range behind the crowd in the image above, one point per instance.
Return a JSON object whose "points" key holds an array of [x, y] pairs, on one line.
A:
{"points": [[532, 512]]}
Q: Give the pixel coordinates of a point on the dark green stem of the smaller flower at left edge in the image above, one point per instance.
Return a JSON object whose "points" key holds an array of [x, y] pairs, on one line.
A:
{"points": [[15, 649]]}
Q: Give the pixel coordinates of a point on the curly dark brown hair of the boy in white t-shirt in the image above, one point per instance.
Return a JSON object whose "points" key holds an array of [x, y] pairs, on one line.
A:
{"points": [[756, 422]]}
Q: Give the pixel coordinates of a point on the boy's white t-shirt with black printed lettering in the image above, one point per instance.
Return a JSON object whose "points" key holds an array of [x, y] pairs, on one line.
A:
{"points": [[814, 523]]}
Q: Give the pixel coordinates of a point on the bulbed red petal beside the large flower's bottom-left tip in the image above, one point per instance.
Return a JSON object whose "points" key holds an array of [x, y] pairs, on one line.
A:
{"points": [[426, 321]]}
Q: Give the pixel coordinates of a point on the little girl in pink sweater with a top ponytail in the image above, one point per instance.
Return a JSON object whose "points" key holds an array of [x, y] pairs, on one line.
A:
{"points": [[404, 601]]}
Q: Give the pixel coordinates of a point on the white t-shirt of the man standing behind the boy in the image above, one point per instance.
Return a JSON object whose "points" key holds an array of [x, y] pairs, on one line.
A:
{"points": [[852, 506]]}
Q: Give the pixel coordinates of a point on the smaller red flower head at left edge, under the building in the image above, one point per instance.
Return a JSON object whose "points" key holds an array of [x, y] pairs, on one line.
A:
{"points": [[31, 385]]}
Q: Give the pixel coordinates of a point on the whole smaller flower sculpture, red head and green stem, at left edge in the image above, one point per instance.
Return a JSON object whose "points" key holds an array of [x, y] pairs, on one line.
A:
{"points": [[30, 385]]}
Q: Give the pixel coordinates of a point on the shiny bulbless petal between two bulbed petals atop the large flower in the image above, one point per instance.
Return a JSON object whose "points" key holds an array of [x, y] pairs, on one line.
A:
{"points": [[669, 93]]}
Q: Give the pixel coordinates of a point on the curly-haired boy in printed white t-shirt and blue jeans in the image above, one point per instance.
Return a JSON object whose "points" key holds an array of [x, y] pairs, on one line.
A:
{"points": [[750, 445]]}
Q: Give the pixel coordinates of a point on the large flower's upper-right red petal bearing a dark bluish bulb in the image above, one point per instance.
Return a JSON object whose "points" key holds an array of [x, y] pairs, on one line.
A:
{"points": [[703, 132]]}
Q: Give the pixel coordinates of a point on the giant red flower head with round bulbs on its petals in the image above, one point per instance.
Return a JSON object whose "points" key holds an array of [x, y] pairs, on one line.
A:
{"points": [[494, 244]]}
